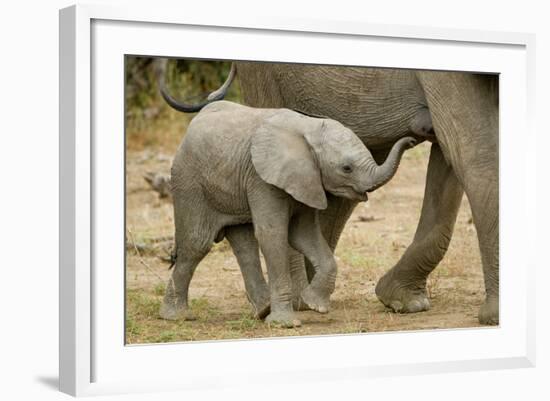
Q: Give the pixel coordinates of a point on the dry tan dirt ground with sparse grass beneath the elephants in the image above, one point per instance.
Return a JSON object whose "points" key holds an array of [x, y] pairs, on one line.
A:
{"points": [[373, 240]]}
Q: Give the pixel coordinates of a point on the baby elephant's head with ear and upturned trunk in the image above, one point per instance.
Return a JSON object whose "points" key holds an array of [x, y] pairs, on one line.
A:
{"points": [[307, 156]]}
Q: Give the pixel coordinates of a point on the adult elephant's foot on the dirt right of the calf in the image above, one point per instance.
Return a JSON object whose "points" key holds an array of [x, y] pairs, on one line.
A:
{"points": [[401, 297]]}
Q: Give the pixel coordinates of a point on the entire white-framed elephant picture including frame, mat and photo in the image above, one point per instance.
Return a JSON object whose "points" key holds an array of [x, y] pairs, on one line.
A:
{"points": [[209, 243]]}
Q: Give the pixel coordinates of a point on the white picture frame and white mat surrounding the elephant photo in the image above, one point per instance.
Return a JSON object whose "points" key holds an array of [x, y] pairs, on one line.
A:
{"points": [[93, 358]]}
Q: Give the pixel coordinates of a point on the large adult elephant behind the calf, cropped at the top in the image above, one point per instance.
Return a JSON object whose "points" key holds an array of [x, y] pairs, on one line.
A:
{"points": [[457, 111]]}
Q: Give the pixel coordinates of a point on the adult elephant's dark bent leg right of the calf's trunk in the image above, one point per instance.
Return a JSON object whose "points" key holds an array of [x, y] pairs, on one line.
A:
{"points": [[403, 288]]}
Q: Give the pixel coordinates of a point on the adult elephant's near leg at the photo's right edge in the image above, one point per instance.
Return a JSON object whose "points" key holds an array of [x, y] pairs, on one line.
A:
{"points": [[465, 114]]}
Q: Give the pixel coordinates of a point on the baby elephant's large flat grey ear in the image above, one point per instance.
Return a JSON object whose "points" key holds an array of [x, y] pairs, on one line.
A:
{"points": [[284, 159]]}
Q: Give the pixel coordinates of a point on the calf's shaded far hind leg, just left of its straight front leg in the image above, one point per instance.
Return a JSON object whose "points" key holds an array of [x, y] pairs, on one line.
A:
{"points": [[246, 250]]}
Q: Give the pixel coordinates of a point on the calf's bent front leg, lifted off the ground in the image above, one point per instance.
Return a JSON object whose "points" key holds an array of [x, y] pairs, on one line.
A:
{"points": [[306, 237]]}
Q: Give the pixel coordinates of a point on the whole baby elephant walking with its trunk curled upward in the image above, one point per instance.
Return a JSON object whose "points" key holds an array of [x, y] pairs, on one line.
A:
{"points": [[271, 167]]}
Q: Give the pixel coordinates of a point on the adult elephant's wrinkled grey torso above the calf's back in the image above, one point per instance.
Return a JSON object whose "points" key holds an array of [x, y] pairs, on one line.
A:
{"points": [[379, 105]]}
